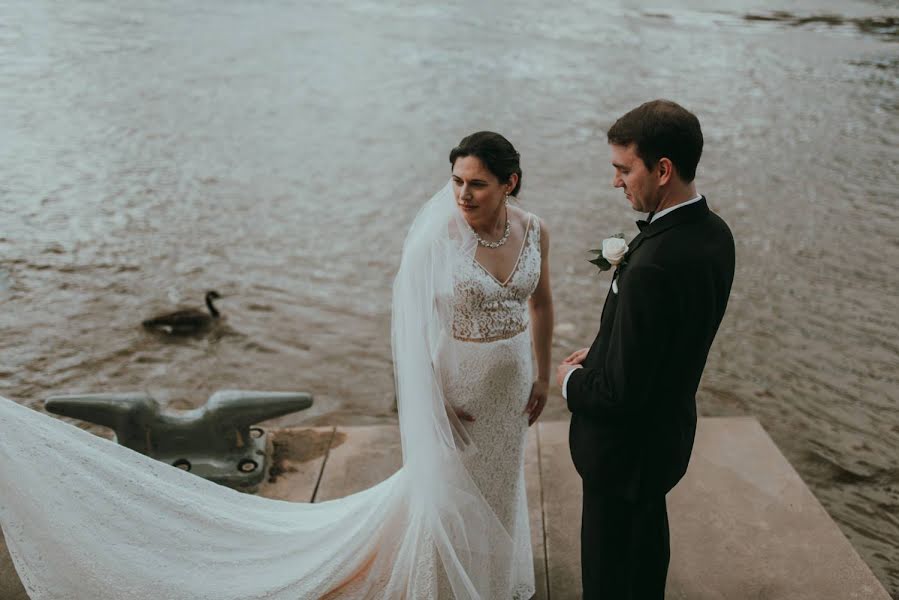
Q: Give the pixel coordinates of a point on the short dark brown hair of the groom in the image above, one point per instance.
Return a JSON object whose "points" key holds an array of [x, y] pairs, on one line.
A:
{"points": [[661, 129]]}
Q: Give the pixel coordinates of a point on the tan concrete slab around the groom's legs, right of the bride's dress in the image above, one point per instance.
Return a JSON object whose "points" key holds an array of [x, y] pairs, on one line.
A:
{"points": [[743, 524]]}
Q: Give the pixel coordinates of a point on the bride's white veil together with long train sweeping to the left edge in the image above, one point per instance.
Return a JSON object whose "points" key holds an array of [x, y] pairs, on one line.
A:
{"points": [[86, 518]]}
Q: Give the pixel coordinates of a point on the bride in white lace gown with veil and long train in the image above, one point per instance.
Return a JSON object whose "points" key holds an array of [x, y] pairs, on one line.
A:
{"points": [[86, 518]]}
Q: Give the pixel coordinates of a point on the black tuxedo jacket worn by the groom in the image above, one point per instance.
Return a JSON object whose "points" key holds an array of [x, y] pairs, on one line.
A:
{"points": [[633, 404]]}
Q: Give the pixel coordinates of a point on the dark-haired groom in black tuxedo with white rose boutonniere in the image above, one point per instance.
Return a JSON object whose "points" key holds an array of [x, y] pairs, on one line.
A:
{"points": [[632, 393]]}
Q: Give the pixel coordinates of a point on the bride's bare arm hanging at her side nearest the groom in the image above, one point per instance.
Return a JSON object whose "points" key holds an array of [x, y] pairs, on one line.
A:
{"points": [[541, 306]]}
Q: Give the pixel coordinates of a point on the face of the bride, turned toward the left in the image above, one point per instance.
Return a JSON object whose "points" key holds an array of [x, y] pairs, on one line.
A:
{"points": [[479, 194]]}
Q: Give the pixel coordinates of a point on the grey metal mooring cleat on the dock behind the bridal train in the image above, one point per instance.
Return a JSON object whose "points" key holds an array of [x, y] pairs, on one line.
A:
{"points": [[215, 441]]}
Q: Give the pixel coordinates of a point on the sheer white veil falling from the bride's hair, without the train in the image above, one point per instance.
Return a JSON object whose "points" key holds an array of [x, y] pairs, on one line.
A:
{"points": [[465, 529]]}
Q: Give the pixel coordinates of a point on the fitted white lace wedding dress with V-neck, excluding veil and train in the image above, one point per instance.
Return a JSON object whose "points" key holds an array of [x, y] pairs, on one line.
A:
{"points": [[492, 382]]}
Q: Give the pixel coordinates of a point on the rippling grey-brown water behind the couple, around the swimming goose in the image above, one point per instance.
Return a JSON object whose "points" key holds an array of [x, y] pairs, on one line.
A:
{"points": [[277, 151]]}
